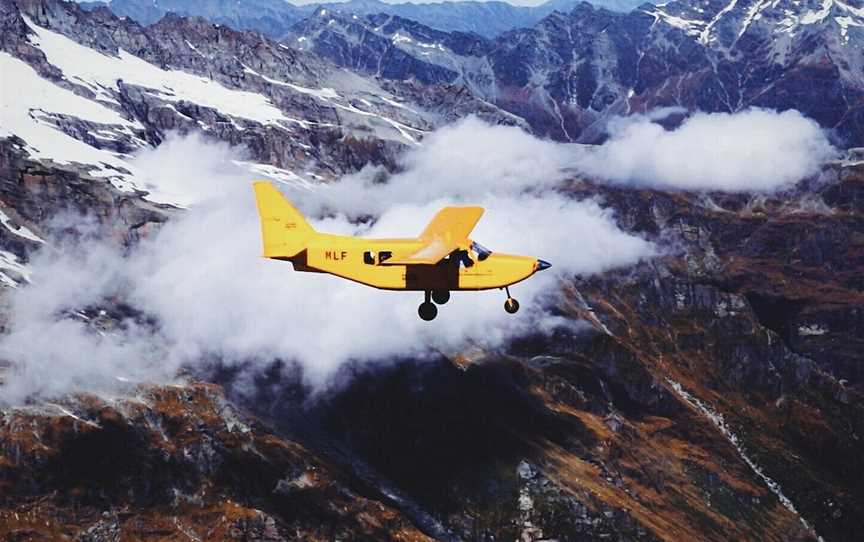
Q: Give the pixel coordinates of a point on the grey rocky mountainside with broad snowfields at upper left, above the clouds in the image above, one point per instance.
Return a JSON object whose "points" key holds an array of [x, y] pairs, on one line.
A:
{"points": [[94, 97]]}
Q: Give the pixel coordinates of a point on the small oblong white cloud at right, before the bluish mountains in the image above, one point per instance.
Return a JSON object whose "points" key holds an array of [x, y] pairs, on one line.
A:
{"points": [[756, 150]]}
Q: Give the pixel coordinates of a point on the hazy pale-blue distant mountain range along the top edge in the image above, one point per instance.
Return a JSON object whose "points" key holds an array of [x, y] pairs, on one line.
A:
{"points": [[274, 17]]}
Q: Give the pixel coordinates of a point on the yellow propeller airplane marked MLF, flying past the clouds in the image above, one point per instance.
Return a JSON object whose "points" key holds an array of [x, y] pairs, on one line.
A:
{"points": [[441, 260]]}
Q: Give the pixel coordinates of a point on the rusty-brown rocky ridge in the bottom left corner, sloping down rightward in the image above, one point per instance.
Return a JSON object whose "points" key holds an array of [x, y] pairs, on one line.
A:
{"points": [[176, 461]]}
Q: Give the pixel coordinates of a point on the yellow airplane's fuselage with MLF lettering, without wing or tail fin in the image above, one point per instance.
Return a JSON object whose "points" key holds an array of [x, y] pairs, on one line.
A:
{"points": [[365, 261]]}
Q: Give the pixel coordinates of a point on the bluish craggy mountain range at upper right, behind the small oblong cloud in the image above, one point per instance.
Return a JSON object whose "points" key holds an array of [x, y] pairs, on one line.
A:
{"points": [[571, 72]]}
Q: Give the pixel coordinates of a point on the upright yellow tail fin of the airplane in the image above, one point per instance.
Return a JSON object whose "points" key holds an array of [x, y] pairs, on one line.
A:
{"points": [[284, 231]]}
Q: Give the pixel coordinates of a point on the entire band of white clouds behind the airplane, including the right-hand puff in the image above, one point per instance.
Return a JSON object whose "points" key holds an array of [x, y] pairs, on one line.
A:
{"points": [[211, 296]]}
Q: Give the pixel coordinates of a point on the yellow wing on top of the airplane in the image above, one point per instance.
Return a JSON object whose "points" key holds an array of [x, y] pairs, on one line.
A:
{"points": [[448, 231]]}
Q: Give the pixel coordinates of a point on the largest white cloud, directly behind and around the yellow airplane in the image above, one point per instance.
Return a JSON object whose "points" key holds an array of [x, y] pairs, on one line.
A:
{"points": [[213, 296]]}
